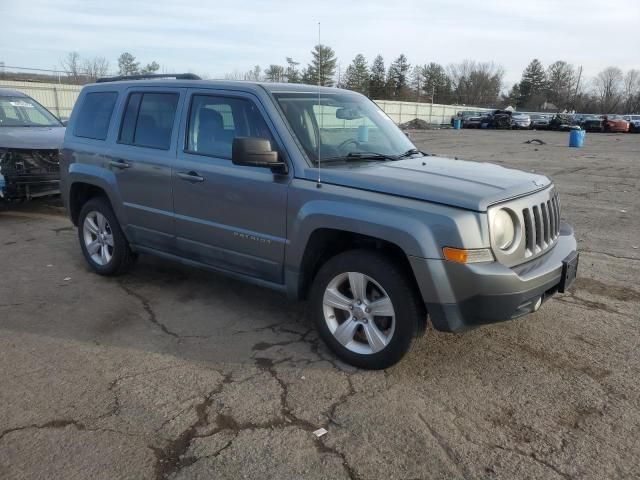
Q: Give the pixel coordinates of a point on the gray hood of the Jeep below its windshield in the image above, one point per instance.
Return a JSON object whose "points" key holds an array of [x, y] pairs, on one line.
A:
{"points": [[459, 183]]}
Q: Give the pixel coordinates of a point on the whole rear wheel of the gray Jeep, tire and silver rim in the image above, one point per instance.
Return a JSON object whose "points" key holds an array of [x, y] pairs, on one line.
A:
{"points": [[103, 244]]}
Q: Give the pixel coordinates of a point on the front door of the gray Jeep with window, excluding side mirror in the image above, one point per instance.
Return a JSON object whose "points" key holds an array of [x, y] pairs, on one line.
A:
{"points": [[228, 216]]}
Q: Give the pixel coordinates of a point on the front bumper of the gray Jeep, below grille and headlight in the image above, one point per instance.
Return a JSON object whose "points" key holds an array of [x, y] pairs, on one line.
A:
{"points": [[463, 296]]}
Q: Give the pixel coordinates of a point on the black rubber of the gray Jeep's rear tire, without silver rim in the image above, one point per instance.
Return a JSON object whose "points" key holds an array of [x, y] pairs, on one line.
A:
{"points": [[122, 257]]}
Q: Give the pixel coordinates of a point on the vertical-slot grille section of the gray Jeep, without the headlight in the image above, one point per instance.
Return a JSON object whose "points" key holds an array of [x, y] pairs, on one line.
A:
{"points": [[541, 225]]}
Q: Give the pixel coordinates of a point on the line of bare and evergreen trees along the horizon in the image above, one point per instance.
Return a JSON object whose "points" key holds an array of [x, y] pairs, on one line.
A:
{"points": [[560, 86]]}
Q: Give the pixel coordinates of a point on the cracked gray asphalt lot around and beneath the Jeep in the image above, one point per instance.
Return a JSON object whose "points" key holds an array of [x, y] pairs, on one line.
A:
{"points": [[174, 373]]}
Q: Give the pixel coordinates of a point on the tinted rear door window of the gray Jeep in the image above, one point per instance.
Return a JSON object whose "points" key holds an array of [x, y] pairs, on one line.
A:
{"points": [[148, 120]]}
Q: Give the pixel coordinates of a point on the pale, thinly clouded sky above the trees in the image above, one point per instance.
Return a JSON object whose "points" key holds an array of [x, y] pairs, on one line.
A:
{"points": [[215, 37]]}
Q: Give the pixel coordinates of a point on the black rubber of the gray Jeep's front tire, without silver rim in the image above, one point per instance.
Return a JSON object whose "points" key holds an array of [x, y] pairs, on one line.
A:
{"points": [[410, 313]]}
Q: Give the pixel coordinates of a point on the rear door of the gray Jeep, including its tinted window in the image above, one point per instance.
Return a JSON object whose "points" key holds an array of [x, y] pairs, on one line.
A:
{"points": [[143, 157]]}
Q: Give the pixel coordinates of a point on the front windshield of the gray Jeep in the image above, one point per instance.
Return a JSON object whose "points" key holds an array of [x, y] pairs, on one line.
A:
{"points": [[349, 126]]}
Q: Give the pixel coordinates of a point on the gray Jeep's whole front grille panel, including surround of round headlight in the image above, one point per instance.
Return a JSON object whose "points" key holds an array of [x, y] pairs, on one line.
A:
{"points": [[537, 226]]}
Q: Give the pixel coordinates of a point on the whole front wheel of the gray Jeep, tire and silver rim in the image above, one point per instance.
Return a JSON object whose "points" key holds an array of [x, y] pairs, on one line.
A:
{"points": [[366, 309]]}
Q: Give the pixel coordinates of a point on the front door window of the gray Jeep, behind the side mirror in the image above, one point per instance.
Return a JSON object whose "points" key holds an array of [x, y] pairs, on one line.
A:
{"points": [[215, 121]]}
